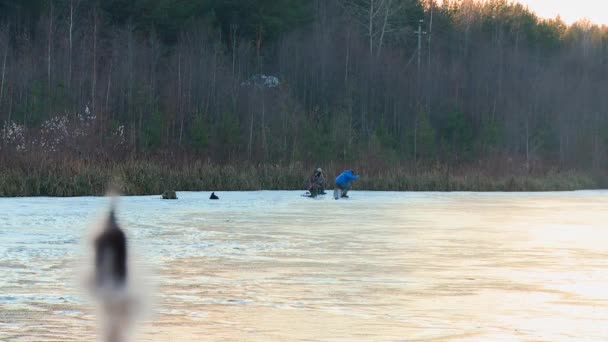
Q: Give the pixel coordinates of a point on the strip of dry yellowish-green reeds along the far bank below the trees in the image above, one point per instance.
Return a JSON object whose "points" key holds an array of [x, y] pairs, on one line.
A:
{"points": [[71, 178]]}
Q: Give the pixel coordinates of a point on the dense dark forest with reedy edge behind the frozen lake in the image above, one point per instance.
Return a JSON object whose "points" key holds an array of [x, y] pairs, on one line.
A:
{"points": [[252, 94]]}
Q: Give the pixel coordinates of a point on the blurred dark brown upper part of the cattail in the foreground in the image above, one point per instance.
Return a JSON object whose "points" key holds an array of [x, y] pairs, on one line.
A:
{"points": [[111, 255]]}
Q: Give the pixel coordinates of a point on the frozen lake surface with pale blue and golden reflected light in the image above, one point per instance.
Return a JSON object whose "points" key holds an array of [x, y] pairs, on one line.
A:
{"points": [[275, 266]]}
